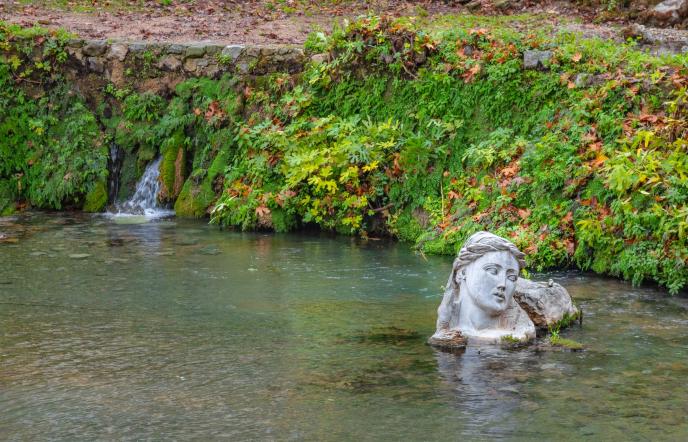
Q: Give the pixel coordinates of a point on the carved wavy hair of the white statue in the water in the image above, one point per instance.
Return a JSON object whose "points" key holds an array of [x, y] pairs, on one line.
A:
{"points": [[476, 246]]}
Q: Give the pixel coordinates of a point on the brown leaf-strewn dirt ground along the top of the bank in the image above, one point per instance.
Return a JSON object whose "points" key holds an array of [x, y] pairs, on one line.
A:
{"points": [[290, 21]]}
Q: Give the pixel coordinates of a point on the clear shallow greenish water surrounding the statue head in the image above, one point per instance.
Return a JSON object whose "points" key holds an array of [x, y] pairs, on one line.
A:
{"points": [[176, 330]]}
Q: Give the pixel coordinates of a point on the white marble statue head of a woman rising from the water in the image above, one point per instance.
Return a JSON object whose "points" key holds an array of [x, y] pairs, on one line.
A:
{"points": [[478, 300]]}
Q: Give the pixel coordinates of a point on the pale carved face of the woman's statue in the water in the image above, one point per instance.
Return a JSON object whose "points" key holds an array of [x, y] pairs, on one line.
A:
{"points": [[490, 281]]}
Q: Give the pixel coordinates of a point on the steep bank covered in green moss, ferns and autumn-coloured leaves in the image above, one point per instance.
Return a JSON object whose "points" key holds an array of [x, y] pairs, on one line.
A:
{"points": [[581, 162]]}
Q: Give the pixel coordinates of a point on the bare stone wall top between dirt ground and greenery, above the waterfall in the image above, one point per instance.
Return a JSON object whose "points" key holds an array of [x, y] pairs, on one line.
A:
{"points": [[159, 66]]}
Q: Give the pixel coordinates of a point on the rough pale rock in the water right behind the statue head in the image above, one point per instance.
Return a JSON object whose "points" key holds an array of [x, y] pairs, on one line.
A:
{"points": [[545, 302]]}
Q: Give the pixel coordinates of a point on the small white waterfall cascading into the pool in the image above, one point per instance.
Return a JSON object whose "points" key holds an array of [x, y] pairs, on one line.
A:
{"points": [[144, 202]]}
